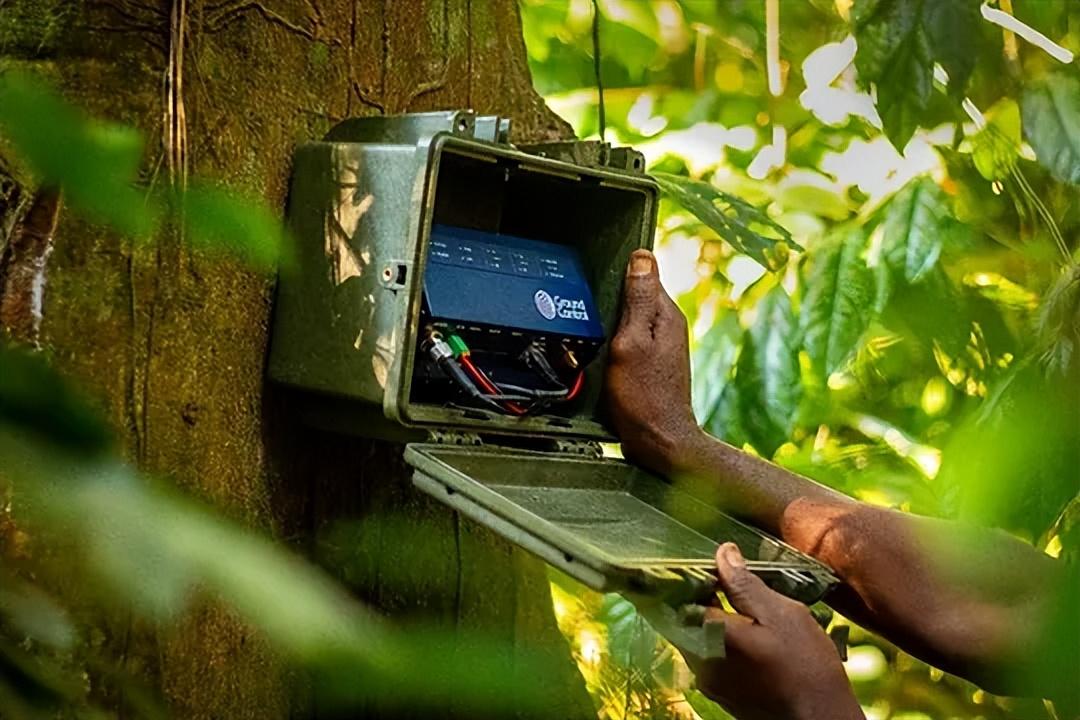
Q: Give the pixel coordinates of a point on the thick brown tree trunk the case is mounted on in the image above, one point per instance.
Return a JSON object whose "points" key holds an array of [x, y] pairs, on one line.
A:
{"points": [[173, 343]]}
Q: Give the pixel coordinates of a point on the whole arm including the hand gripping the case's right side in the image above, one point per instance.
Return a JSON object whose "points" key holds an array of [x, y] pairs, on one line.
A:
{"points": [[973, 602]]}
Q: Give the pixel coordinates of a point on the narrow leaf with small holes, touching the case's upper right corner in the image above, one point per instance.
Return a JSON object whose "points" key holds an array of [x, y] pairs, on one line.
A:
{"points": [[735, 221]]}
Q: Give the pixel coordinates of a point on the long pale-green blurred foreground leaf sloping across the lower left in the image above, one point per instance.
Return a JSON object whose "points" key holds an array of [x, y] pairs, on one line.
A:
{"points": [[134, 539]]}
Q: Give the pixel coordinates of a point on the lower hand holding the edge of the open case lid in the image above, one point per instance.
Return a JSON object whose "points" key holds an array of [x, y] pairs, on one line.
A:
{"points": [[779, 664]]}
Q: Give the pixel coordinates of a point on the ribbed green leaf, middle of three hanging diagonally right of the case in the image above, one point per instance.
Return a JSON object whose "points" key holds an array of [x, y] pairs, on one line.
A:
{"points": [[839, 304]]}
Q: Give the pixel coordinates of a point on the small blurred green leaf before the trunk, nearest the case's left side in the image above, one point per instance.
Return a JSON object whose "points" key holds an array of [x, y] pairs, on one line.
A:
{"points": [[222, 221]]}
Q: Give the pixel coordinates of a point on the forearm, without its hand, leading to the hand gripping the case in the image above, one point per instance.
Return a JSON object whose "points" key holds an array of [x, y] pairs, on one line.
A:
{"points": [[966, 601]]}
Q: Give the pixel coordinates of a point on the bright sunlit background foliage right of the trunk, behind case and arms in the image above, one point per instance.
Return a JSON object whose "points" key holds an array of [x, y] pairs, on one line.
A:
{"points": [[901, 319]]}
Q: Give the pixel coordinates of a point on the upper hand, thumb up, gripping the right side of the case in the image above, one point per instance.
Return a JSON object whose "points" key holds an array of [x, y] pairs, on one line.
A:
{"points": [[649, 374]]}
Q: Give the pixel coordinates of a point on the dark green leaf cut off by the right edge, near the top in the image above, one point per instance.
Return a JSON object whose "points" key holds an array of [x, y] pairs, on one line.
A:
{"points": [[1051, 108]]}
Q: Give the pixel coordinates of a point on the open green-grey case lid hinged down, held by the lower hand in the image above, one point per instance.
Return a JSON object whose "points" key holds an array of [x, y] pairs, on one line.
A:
{"points": [[606, 523]]}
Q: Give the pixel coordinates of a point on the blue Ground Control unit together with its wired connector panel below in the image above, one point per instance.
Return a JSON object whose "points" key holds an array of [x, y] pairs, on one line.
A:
{"points": [[509, 323]]}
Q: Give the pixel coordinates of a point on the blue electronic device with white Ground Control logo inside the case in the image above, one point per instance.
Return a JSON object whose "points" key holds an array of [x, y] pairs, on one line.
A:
{"points": [[507, 283]]}
